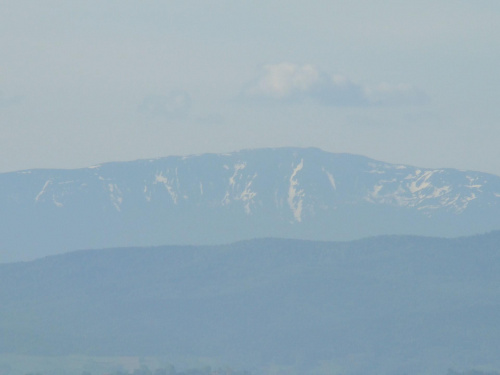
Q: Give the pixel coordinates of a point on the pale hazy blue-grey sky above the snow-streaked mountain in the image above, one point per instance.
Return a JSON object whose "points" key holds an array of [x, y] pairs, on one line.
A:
{"points": [[83, 82]]}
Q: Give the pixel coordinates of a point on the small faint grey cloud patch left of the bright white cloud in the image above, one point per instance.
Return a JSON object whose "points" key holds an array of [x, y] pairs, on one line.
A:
{"points": [[174, 105]]}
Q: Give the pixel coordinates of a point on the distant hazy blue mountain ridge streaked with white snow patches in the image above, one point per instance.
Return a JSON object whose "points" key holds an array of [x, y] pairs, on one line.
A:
{"points": [[219, 198]]}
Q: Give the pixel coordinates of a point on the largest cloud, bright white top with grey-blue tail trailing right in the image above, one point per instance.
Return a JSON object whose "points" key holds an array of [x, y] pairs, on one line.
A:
{"points": [[287, 82]]}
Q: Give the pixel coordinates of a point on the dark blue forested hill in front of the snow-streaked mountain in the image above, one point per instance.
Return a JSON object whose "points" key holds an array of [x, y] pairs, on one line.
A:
{"points": [[392, 304]]}
